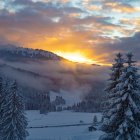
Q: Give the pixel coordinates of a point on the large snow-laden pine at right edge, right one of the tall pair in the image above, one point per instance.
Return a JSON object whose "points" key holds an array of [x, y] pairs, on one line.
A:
{"points": [[124, 118]]}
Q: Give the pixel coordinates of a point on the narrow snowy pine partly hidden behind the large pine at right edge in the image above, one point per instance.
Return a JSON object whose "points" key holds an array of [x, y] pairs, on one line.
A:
{"points": [[111, 89]]}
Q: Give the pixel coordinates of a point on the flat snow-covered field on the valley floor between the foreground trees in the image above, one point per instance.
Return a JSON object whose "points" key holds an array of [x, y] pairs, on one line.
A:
{"points": [[56, 119]]}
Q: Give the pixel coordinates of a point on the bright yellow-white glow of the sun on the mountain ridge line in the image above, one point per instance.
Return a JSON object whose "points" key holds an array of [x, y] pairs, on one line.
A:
{"points": [[75, 57]]}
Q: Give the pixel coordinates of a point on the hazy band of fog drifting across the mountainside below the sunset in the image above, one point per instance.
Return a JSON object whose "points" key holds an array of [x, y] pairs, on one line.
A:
{"points": [[57, 75]]}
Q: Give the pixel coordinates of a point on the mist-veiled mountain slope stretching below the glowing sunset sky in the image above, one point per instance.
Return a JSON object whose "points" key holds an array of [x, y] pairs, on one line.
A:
{"points": [[38, 71]]}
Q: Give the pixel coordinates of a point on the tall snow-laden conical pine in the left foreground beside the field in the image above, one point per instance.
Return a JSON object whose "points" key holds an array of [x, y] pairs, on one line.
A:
{"points": [[14, 122]]}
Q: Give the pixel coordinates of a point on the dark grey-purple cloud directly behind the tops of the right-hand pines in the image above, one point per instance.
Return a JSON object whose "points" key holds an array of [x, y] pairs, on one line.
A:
{"points": [[124, 45]]}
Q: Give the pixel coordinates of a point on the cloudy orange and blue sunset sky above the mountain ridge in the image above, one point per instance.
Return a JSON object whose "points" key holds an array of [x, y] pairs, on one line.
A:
{"points": [[90, 31]]}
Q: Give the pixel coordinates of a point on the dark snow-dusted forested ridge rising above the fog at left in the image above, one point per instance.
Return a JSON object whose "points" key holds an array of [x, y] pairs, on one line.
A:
{"points": [[12, 52]]}
